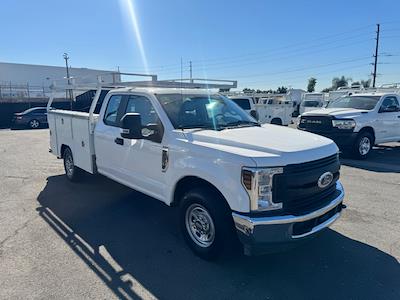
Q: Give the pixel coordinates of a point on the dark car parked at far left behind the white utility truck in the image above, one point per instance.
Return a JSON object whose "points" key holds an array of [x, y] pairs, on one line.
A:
{"points": [[32, 118]]}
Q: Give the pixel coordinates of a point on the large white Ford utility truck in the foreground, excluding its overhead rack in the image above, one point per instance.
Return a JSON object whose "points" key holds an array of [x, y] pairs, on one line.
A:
{"points": [[231, 177]]}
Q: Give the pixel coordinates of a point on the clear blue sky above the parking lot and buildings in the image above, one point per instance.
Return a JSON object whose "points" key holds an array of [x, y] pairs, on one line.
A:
{"points": [[262, 44]]}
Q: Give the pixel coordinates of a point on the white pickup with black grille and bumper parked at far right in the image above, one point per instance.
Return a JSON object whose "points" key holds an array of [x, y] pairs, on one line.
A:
{"points": [[357, 122]]}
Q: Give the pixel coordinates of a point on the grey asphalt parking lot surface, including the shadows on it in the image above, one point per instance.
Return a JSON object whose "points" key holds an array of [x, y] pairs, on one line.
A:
{"points": [[101, 240]]}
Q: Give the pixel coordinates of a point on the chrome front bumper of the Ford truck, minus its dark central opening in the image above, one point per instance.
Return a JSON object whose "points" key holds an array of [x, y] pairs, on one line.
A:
{"points": [[279, 229]]}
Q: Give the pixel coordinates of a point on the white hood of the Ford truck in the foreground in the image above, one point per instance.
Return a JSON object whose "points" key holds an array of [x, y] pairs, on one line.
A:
{"points": [[269, 145]]}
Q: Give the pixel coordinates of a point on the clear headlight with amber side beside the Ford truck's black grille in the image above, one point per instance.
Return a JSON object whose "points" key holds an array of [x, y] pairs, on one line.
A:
{"points": [[258, 184]]}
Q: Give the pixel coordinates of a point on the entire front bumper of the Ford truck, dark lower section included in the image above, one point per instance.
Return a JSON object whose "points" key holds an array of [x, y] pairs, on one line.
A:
{"points": [[259, 233]]}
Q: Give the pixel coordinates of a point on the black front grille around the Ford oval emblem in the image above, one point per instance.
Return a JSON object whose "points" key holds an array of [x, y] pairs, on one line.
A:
{"points": [[297, 187]]}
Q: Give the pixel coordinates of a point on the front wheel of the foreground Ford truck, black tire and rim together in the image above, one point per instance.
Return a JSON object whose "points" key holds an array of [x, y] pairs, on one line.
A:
{"points": [[206, 223]]}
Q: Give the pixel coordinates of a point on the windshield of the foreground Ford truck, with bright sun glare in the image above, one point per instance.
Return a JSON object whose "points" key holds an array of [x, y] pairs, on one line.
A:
{"points": [[204, 111]]}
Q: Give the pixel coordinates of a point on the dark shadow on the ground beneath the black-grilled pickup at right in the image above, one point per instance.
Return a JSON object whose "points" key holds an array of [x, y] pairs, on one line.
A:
{"points": [[383, 158]]}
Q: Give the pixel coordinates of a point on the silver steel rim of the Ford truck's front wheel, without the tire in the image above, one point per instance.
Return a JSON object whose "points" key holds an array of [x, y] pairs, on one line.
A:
{"points": [[200, 225]]}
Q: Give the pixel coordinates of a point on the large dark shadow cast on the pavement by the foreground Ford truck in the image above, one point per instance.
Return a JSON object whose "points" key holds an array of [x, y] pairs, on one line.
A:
{"points": [[132, 243]]}
